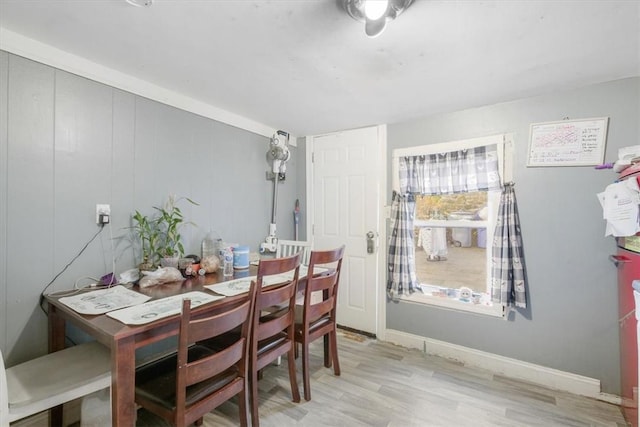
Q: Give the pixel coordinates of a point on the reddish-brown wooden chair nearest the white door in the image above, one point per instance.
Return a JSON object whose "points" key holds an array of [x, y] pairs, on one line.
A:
{"points": [[317, 318]]}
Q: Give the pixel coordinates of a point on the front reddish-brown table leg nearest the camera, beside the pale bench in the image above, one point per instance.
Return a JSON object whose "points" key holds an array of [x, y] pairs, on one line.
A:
{"points": [[123, 369]]}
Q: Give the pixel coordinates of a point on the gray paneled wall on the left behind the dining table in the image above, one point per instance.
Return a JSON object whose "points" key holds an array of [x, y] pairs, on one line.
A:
{"points": [[68, 143]]}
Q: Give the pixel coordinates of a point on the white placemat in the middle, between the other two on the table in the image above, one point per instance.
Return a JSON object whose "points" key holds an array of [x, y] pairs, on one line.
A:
{"points": [[161, 308]]}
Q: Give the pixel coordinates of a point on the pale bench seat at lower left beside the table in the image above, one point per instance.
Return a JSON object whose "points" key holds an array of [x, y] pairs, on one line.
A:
{"points": [[53, 379]]}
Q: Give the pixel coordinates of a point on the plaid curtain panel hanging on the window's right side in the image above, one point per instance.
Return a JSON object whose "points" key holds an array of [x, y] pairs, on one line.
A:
{"points": [[508, 269]]}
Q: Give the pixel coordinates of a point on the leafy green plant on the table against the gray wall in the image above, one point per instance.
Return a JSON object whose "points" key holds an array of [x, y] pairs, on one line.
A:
{"points": [[160, 235]]}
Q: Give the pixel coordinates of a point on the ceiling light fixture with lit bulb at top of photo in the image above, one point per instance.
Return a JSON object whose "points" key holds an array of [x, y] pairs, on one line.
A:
{"points": [[375, 13]]}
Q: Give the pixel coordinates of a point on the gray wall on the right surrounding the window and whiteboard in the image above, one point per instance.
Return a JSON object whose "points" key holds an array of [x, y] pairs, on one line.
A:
{"points": [[572, 320]]}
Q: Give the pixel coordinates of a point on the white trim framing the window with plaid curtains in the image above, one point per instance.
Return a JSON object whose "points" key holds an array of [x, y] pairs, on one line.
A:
{"points": [[504, 143]]}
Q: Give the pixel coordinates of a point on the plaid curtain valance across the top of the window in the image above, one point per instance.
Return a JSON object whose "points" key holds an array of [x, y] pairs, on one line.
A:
{"points": [[473, 169]]}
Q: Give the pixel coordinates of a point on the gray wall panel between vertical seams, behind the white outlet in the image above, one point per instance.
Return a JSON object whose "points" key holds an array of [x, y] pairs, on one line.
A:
{"points": [[83, 163]]}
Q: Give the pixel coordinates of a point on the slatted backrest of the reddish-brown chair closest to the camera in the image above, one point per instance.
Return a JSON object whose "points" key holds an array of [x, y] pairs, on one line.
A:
{"points": [[195, 327]]}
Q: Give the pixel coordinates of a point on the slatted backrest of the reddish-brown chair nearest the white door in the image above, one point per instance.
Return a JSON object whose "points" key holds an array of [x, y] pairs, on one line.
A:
{"points": [[326, 281]]}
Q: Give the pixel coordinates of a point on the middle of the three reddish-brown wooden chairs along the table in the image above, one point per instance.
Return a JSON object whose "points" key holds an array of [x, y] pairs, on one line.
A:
{"points": [[273, 331]]}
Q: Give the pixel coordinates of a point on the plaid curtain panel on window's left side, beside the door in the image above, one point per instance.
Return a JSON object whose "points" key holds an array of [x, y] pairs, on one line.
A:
{"points": [[401, 260]]}
